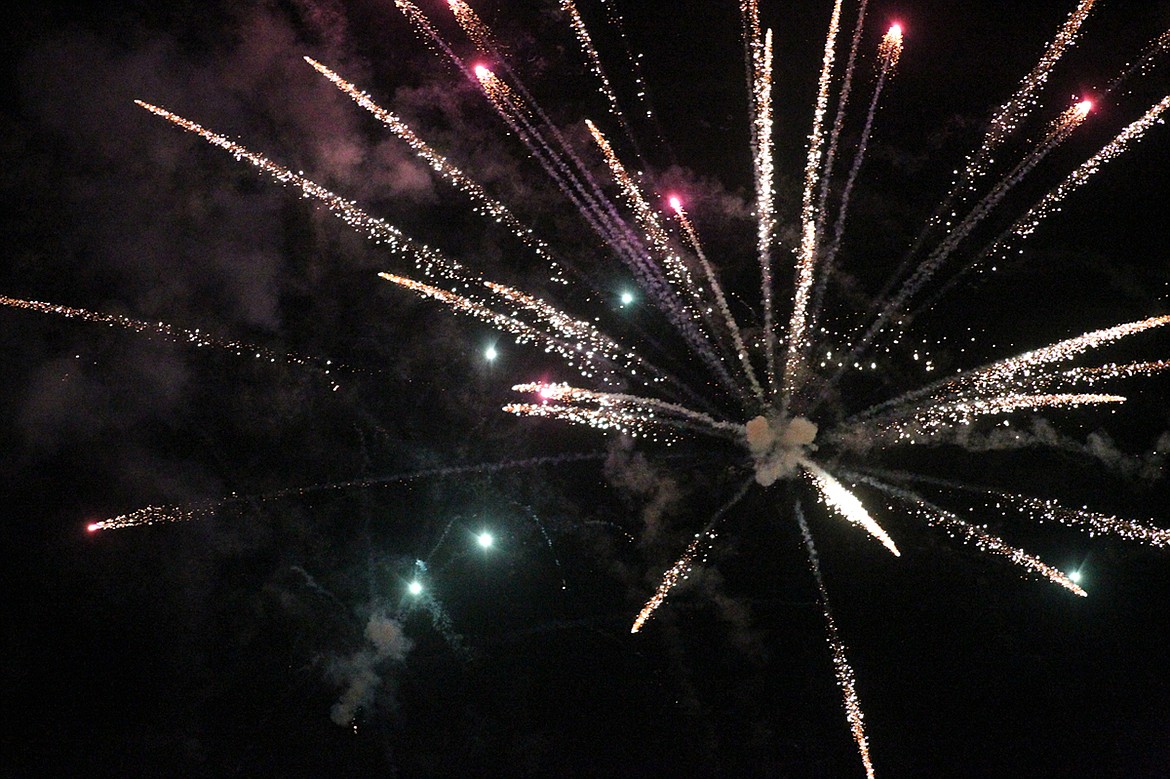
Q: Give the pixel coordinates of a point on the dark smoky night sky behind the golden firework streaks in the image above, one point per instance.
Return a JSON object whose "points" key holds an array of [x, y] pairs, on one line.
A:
{"points": [[223, 646]]}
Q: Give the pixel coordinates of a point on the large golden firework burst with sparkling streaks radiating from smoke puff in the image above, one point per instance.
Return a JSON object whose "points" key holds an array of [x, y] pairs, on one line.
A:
{"points": [[756, 383]]}
